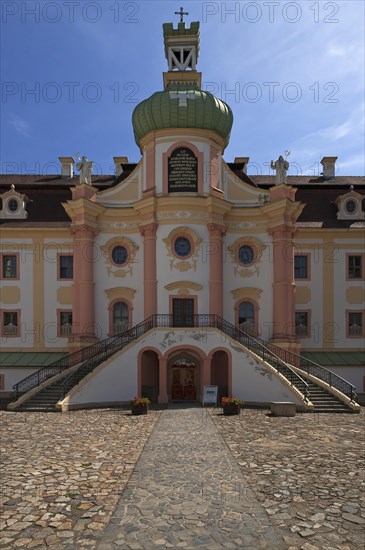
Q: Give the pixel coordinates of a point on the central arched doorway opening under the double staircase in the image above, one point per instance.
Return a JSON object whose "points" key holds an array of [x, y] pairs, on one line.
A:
{"points": [[184, 377]]}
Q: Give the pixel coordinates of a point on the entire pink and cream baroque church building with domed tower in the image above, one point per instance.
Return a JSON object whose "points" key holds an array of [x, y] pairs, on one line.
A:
{"points": [[182, 271]]}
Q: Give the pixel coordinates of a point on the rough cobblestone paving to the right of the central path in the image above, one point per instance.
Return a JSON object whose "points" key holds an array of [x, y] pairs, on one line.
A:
{"points": [[308, 472]]}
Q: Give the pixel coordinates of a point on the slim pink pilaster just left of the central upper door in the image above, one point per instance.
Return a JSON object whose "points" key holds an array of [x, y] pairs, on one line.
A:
{"points": [[149, 269]]}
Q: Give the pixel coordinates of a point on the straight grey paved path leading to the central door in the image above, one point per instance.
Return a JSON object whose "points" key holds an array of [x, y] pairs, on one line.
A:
{"points": [[187, 491]]}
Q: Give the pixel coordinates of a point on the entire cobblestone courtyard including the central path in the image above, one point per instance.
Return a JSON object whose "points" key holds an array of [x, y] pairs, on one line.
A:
{"points": [[79, 480]]}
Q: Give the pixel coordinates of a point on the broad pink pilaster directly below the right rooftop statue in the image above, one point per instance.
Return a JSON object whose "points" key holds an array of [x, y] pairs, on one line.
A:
{"points": [[283, 287]]}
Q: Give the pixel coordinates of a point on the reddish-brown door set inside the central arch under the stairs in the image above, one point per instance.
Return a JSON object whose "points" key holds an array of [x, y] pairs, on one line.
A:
{"points": [[183, 380]]}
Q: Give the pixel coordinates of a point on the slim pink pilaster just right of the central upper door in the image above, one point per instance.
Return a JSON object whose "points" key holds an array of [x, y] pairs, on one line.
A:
{"points": [[216, 269]]}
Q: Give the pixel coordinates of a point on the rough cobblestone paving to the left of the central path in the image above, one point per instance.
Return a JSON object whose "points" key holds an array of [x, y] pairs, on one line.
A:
{"points": [[62, 474]]}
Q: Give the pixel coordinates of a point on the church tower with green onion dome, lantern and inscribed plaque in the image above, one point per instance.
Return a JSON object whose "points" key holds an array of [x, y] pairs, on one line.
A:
{"points": [[185, 116]]}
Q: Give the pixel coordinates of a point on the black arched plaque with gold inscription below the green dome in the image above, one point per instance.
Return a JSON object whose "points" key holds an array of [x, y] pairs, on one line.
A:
{"points": [[182, 171]]}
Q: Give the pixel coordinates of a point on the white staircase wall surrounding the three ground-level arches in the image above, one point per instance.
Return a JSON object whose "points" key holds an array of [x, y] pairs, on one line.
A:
{"points": [[116, 380]]}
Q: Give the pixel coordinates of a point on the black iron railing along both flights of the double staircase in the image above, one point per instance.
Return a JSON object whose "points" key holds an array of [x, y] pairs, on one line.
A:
{"points": [[91, 356]]}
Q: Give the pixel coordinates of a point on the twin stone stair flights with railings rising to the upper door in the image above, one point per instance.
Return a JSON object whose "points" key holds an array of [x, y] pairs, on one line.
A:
{"points": [[47, 397]]}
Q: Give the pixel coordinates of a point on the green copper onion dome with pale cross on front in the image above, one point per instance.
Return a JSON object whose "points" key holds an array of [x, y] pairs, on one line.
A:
{"points": [[182, 105]]}
